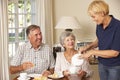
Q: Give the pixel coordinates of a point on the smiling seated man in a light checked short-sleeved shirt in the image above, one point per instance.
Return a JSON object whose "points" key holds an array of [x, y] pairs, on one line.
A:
{"points": [[33, 56]]}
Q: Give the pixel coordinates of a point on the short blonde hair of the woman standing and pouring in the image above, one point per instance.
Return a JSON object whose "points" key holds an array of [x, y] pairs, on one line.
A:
{"points": [[98, 6]]}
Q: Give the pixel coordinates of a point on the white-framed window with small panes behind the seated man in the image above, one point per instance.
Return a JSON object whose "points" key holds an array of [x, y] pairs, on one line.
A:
{"points": [[21, 13]]}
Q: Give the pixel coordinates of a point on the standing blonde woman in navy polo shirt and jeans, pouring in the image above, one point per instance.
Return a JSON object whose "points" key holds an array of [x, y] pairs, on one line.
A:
{"points": [[108, 36]]}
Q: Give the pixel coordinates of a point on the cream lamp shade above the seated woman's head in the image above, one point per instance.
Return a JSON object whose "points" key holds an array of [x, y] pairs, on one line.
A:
{"points": [[68, 22]]}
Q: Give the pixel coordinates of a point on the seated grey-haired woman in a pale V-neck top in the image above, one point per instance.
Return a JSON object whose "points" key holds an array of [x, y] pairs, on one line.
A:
{"points": [[63, 60]]}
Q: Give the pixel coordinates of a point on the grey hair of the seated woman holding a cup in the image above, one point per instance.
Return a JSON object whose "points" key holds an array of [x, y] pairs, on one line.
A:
{"points": [[64, 35]]}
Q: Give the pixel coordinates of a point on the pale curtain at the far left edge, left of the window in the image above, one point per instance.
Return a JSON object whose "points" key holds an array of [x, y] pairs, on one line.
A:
{"points": [[4, 71]]}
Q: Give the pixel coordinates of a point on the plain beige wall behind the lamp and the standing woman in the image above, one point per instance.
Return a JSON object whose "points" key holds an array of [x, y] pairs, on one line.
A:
{"points": [[78, 8]]}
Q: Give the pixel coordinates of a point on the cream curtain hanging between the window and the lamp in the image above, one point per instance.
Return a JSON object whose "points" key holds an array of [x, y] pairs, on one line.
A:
{"points": [[44, 20]]}
